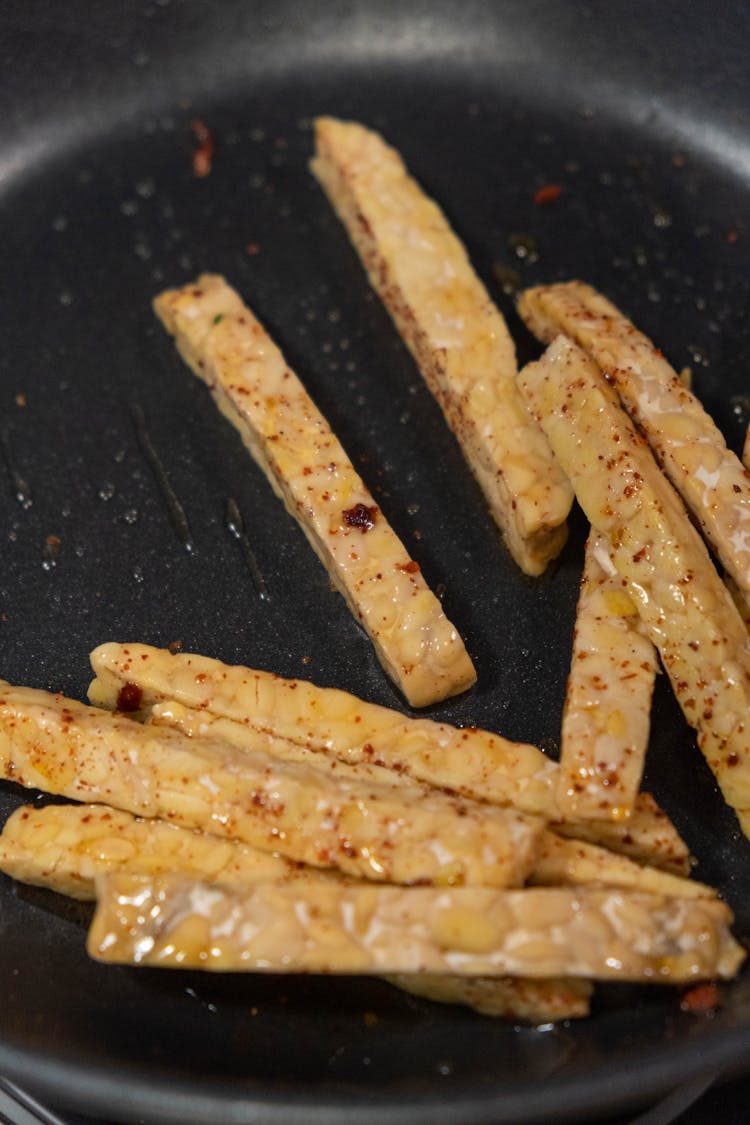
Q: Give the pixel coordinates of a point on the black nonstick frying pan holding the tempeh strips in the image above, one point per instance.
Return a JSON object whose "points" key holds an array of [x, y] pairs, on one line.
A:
{"points": [[640, 113]]}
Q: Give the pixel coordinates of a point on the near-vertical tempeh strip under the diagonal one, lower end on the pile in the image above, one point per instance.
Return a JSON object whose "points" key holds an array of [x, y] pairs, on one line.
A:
{"points": [[607, 717]]}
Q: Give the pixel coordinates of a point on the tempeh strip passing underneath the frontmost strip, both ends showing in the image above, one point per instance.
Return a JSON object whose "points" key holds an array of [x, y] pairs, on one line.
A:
{"points": [[65, 848]]}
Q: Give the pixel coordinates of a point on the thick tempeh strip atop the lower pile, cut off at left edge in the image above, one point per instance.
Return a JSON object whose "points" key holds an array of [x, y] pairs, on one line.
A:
{"points": [[394, 834]]}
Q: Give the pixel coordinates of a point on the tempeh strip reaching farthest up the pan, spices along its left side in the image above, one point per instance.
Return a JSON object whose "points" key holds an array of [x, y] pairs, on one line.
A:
{"points": [[459, 339]]}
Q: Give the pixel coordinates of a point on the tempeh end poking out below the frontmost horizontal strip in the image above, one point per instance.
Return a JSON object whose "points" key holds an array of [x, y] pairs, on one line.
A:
{"points": [[519, 998]]}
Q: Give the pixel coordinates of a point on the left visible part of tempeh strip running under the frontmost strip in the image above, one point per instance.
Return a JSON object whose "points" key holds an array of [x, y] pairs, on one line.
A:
{"points": [[66, 847]]}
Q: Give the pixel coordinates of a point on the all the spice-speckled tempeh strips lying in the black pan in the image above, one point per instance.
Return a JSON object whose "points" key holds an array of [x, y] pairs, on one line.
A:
{"points": [[243, 822]]}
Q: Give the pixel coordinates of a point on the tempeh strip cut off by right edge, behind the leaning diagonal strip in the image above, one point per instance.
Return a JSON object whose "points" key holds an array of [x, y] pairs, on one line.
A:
{"points": [[691, 448]]}
